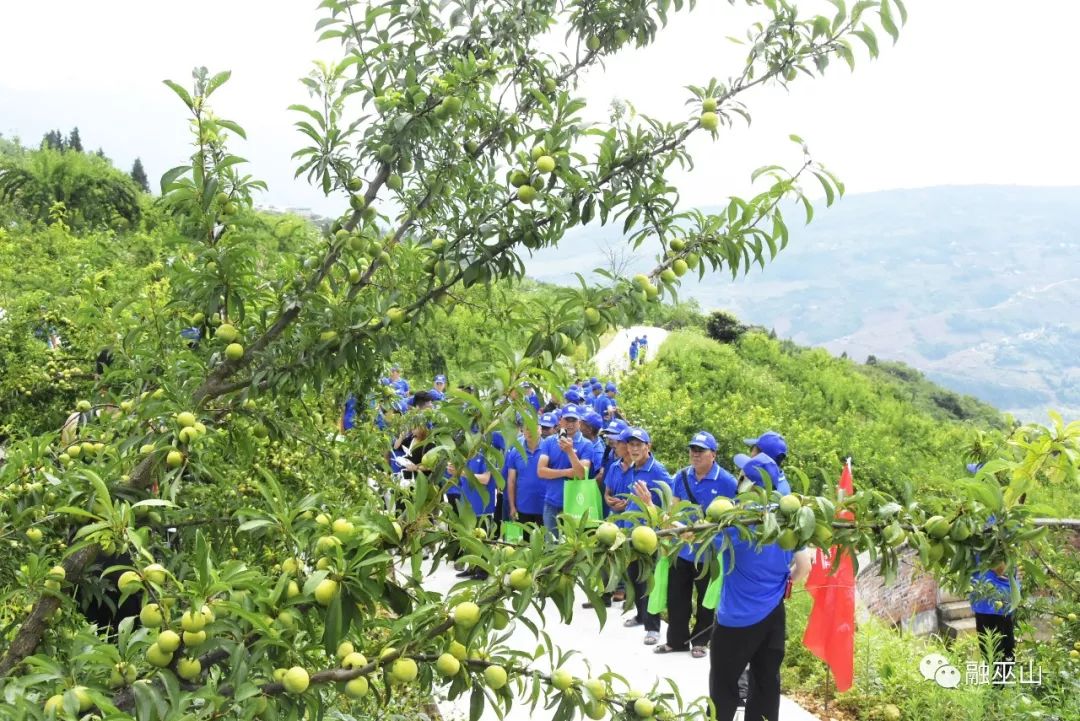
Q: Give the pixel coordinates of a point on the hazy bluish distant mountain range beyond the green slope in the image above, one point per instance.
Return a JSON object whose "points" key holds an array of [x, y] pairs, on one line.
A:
{"points": [[977, 287]]}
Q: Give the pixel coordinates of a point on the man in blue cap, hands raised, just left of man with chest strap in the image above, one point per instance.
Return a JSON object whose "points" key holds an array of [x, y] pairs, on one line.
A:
{"points": [[642, 480]]}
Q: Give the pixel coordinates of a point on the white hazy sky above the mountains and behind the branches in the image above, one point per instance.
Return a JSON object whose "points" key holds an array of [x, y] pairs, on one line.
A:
{"points": [[977, 91]]}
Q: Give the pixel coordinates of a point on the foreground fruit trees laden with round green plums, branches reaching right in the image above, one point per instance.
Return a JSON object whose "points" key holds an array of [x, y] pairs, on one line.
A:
{"points": [[246, 566]]}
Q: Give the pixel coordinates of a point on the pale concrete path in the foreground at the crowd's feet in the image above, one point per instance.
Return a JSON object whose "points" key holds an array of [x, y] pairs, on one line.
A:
{"points": [[613, 647]]}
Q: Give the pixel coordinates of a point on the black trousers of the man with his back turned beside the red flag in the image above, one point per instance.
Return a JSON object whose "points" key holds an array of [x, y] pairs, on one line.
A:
{"points": [[762, 646]]}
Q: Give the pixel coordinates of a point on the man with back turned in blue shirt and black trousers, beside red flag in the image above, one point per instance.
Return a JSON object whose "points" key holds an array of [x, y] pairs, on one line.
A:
{"points": [[751, 624]]}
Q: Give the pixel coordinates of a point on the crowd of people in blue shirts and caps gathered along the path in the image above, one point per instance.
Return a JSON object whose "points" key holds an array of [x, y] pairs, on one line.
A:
{"points": [[584, 436]]}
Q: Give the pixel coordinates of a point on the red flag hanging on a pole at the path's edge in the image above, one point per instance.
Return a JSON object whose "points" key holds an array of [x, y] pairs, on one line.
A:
{"points": [[831, 630]]}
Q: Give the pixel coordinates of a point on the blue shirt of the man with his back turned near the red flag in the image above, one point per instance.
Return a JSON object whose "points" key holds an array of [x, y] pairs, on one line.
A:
{"points": [[755, 579]]}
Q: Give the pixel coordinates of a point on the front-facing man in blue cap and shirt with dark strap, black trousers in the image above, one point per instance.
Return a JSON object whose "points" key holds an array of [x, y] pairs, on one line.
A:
{"points": [[700, 483]]}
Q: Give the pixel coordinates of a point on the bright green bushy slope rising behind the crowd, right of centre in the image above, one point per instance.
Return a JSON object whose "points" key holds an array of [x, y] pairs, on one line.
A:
{"points": [[828, 409]]}
